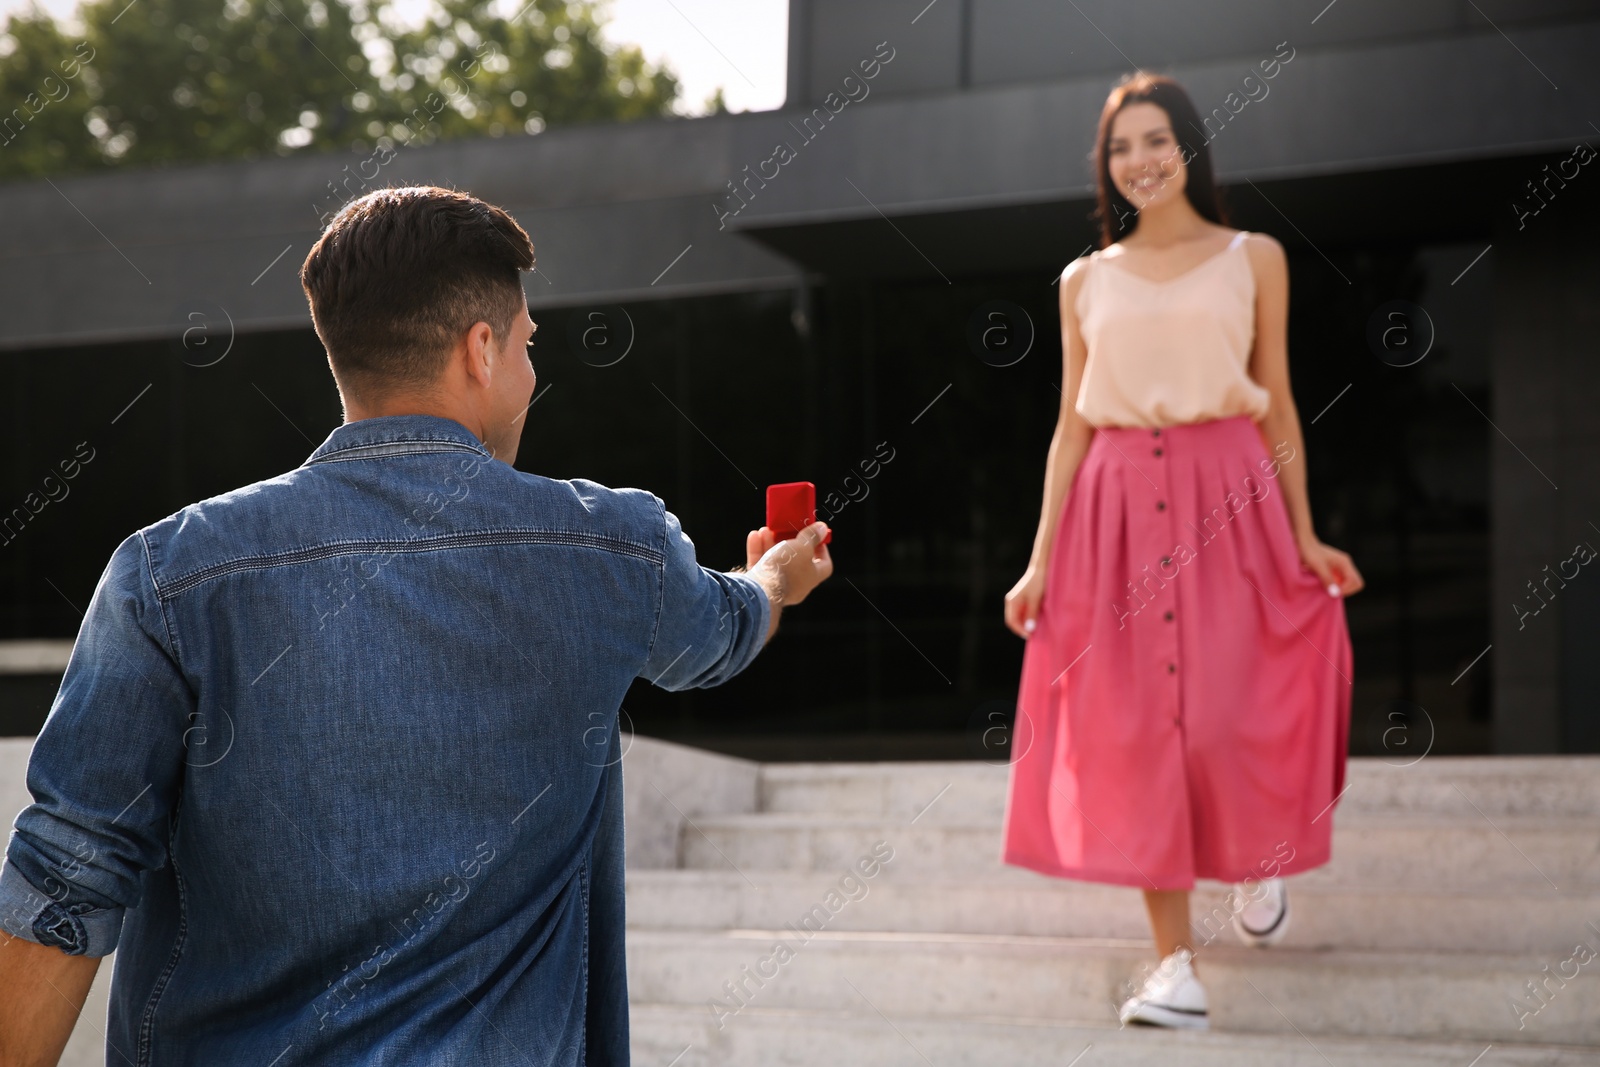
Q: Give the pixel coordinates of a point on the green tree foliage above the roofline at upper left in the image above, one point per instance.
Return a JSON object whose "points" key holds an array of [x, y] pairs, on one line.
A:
{"points": [[154, 82]]}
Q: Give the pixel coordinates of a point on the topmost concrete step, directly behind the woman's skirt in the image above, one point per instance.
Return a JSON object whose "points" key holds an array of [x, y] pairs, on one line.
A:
{"points": [[966, 789]]}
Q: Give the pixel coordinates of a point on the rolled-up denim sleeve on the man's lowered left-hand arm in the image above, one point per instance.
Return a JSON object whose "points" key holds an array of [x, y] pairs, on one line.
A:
{"points": [[105, 772]]}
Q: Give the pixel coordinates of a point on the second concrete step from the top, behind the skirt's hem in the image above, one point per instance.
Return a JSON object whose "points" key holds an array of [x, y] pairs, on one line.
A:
{"points": [[1543, 855]]}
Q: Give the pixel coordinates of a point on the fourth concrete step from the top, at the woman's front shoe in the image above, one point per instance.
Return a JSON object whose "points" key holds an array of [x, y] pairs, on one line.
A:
{"points": [[1417, 996]]}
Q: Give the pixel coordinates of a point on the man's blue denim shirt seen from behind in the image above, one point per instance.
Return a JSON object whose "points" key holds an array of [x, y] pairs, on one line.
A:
{"points": [[335, 765]]}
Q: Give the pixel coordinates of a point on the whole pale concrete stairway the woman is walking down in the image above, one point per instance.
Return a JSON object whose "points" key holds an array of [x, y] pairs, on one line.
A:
{"points": [[1455, 885]]}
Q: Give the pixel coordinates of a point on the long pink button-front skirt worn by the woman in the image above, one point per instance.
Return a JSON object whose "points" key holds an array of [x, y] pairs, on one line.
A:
{"points": [[1185, 701]]}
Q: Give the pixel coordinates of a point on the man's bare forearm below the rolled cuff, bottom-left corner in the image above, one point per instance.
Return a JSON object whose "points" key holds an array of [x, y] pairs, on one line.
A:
{"points": [[42, 993]]}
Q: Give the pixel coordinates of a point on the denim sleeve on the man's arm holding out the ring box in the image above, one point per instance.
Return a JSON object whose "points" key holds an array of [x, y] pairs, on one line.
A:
{"points": [[710, 625]]}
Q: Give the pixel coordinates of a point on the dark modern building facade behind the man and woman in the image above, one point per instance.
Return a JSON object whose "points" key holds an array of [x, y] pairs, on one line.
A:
{"points": [[858, 290]]}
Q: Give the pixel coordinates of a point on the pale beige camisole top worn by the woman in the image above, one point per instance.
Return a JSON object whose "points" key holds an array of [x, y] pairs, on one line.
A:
{"points": [[1175, 351]]}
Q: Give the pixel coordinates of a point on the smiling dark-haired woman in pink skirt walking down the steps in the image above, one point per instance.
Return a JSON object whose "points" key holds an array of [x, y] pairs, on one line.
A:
{"points": [[1186, 687]]}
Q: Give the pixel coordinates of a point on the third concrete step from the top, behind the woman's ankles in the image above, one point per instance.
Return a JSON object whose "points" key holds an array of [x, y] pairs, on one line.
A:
{"points": [[1324, 914]]}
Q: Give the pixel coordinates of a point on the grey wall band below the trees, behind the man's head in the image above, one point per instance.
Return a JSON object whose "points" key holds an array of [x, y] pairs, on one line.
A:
{"points": [[143, 254]]}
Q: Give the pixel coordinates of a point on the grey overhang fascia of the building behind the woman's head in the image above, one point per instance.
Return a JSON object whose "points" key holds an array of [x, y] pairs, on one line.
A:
{"points": [[1327, 111]]}
